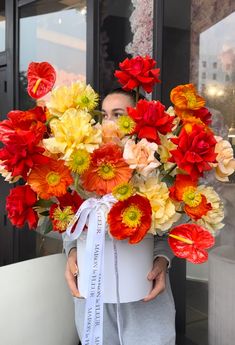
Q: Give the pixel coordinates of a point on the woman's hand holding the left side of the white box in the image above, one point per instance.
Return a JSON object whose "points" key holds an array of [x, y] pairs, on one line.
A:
{"points": [[71, 272]]}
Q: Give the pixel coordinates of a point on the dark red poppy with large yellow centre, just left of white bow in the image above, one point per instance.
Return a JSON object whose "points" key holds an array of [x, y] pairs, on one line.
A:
{"points": [[62, 213]]}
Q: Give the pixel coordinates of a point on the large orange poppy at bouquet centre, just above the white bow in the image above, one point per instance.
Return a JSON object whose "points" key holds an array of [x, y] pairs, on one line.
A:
{"points": [[107, 170]]}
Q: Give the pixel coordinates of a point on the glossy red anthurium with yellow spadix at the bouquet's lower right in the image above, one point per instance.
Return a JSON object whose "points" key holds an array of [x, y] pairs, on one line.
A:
{"points": [[189, 241]]}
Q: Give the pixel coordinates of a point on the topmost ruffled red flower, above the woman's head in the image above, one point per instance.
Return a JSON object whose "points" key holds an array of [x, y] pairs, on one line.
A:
{"points": [[138, 71]]}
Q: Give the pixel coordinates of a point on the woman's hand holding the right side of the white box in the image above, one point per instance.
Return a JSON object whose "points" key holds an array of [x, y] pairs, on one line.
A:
{"points": [[158, 276]]}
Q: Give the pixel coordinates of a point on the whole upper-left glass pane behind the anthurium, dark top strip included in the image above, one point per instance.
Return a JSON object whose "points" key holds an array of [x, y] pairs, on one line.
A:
{"points": [[53, 31]]}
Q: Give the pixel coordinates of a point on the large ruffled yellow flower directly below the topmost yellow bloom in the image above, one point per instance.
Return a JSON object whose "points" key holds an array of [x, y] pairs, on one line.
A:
{"points": [[71, 132]]}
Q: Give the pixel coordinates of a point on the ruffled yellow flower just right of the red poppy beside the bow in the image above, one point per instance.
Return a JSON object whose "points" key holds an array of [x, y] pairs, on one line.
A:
{"points": [[164, 211]]}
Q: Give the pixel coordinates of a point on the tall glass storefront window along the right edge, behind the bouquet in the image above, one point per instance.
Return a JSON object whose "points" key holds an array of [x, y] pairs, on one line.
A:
{"points": [[212, 68]]}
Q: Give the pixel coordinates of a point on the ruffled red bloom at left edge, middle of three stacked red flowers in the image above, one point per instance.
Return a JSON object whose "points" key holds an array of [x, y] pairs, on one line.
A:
{"points": [[22, 154]]}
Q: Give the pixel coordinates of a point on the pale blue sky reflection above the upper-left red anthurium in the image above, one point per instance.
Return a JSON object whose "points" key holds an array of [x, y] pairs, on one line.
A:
{"points": [[58, 38]]}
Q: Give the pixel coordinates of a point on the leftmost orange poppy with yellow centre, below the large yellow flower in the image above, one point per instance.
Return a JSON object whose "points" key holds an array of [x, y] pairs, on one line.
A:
{"points": [[50, 180]]}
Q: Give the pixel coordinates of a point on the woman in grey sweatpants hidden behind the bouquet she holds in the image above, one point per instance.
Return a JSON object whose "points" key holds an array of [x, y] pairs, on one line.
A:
{"points": [[147, 322]]}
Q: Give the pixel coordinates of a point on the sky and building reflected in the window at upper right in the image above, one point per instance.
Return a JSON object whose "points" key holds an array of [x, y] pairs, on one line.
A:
{"points": [[217, 69]]}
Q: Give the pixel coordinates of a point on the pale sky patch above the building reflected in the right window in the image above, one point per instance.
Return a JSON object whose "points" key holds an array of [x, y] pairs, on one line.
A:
{"points": [[220, 37]]}
